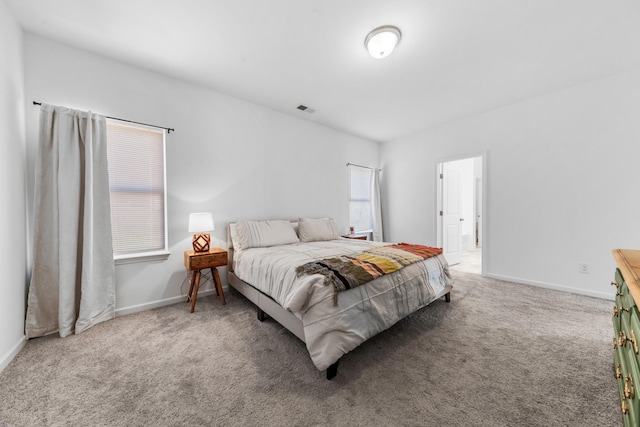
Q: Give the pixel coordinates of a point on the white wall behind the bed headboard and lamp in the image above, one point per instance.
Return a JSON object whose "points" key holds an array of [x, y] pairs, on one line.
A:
{"points": [[227, 156]]}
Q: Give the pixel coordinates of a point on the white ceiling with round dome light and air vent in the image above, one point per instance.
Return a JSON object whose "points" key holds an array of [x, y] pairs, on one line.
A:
{"points": [[456, 58]]}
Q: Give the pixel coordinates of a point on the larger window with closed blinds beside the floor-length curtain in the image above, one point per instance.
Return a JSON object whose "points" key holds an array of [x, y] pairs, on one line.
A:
{"points": [[137, 183]]}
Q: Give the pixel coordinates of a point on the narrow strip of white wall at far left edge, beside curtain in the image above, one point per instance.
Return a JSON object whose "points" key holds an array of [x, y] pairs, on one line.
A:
{"points": [[13, 248]]}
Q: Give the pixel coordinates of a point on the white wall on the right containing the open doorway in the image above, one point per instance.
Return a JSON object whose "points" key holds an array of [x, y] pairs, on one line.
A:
{"points": [[562, 183]]}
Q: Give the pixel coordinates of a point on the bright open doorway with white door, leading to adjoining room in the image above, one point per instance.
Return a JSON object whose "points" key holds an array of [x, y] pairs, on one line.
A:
{"points": [[460, 212]]}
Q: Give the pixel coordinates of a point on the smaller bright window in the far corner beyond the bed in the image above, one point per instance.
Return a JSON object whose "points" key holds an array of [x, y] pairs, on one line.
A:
{"points": [[360, 199]]}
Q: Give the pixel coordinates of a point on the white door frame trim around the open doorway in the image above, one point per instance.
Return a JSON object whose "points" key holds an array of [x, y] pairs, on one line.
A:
{"points": [[437, 222]]}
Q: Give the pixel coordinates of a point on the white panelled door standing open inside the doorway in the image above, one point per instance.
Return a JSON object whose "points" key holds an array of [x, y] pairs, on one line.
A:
{"points": [[451, 215]]}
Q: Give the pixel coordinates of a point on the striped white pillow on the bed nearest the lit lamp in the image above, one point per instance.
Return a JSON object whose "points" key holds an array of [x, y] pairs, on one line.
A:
{"points": [[260, 234]]}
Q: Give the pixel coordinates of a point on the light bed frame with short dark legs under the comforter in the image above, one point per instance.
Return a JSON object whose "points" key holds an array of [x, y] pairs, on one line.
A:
{"points": [[266, 305]]}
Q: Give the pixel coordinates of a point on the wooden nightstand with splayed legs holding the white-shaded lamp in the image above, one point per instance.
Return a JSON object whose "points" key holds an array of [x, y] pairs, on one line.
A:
{"points": [[197, 261]]}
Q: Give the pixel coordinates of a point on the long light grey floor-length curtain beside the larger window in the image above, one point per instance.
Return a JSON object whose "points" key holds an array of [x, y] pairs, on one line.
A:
{"points": [[73, 278]]}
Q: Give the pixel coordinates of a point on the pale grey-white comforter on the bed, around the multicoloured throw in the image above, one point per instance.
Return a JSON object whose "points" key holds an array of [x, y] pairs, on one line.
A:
{"points": [[332, 330]]}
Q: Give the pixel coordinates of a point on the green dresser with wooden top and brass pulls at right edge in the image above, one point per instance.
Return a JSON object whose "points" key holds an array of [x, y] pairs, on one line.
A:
{"points": [[626, 326]]}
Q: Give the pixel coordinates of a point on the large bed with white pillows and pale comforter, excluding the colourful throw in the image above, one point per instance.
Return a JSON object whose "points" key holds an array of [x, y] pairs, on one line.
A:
{"points": [[265, 262]]}
